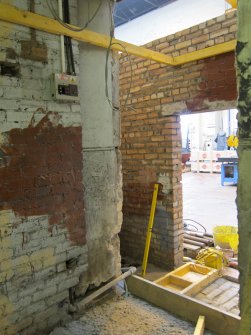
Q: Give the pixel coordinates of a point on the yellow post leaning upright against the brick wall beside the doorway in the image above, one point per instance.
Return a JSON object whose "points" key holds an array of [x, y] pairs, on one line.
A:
{"points": [[149, 229]]}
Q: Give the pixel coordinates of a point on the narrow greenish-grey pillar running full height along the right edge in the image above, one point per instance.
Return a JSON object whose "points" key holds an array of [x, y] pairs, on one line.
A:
{"points": [[243, 52]]}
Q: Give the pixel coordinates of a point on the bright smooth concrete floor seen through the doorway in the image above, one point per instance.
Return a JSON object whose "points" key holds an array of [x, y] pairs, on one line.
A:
{"points": [[206, 201]]}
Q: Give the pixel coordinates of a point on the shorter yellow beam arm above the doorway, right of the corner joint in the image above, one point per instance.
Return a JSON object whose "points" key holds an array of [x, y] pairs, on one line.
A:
{"points": [[215, 50]]}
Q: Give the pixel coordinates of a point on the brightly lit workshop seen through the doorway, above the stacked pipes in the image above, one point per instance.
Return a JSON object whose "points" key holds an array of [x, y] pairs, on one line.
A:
{"points": [[204, 138]]}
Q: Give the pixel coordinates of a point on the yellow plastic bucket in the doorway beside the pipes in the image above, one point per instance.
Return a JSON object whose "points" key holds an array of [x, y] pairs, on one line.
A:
{"points": [[226, 237]]}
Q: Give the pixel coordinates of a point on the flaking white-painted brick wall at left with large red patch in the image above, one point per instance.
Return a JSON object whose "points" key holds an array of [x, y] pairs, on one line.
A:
{"points": [[43, 248]]}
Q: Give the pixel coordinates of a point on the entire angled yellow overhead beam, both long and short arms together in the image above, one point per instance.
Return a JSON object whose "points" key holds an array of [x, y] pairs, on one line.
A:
{"points": [[14, 15]]}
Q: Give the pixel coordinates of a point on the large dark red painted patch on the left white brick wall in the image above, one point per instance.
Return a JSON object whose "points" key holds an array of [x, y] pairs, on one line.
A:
{"points": [[44, 175]]}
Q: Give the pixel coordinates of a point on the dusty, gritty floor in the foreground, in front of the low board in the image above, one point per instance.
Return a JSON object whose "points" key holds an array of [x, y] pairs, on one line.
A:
{"points": [[126, 316]]}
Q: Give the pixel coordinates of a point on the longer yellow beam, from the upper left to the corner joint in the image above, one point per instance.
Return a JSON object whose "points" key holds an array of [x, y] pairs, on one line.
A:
{"points": [[14, 15]]}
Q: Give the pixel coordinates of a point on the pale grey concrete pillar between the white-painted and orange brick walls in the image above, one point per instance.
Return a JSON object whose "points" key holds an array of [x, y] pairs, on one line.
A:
{"points": [[101, 133]]}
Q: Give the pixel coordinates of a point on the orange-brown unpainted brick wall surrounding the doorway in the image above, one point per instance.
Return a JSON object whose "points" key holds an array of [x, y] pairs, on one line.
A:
{"points": [[151, 139]]}
